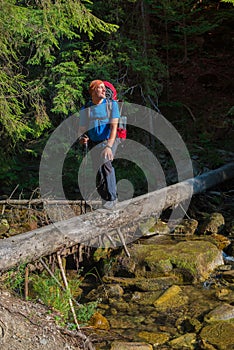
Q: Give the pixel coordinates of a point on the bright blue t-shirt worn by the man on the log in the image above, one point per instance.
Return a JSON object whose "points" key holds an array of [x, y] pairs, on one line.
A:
{"points": [[96, 119]]}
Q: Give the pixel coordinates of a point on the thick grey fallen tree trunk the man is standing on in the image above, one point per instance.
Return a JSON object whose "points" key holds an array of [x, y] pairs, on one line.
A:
{"points": [[87, 229]]}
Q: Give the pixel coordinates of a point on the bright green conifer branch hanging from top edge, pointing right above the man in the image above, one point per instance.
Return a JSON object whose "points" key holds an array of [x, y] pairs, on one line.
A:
{"points": [[53, 21]]}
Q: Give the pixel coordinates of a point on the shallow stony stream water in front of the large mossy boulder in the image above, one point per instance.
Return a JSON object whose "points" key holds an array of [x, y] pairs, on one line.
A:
{"points": [[182, 319]]}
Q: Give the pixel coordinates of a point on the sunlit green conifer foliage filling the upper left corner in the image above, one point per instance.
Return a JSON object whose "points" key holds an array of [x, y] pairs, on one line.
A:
{"points": [[32, 35]]}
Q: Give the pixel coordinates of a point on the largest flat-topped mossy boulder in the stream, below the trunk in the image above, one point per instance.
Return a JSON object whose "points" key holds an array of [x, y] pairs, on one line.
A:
{"points": [[191, 258]]}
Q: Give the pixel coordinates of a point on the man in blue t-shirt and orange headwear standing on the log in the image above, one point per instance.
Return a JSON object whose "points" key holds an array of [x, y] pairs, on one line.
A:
{"points": [[98, 128]]}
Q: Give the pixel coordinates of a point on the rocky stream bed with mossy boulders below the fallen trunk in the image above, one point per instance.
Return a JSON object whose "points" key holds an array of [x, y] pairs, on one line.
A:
{"points": [[168, 298]]}
